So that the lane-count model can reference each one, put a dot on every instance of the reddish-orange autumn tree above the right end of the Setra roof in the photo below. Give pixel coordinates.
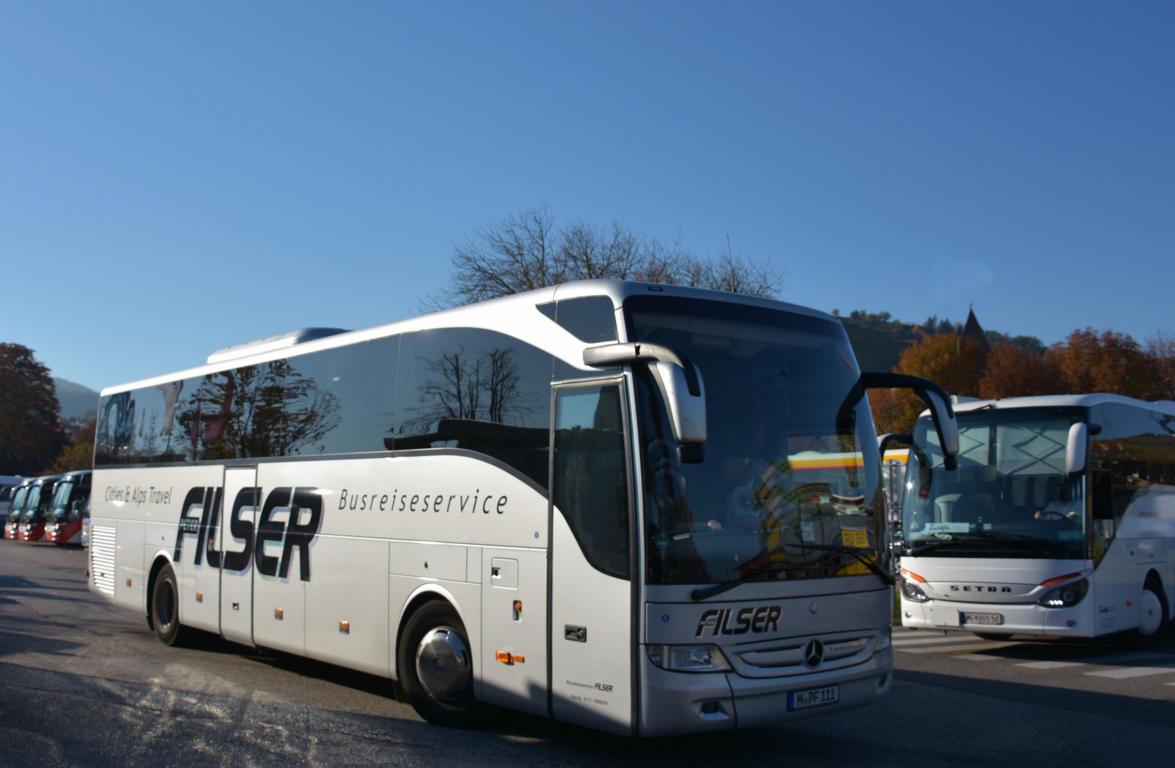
(1107, 362)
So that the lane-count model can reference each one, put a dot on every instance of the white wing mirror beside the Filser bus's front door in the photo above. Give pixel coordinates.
(677, 379)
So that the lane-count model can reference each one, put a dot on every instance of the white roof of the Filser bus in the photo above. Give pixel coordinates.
(508, 314)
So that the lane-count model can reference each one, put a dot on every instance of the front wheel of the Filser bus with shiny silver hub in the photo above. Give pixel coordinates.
(437, 666)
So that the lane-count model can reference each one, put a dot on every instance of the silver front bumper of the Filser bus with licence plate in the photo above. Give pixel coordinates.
(675, 703)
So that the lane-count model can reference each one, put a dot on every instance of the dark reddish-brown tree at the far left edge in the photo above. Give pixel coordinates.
(31, 435)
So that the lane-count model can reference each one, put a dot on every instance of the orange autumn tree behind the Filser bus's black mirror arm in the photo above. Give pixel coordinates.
(956, 365)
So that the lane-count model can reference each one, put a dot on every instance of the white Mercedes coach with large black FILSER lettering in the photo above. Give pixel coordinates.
(603, 503)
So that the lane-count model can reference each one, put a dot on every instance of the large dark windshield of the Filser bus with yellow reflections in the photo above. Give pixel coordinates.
(789, 486)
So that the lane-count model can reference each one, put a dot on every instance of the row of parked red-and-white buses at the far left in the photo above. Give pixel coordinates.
(52, 509)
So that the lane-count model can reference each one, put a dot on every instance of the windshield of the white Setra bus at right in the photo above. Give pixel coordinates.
(1011, 496)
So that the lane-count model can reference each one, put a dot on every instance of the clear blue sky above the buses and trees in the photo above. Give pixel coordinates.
(180, 178)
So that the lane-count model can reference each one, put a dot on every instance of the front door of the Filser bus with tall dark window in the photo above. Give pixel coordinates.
(593, 679)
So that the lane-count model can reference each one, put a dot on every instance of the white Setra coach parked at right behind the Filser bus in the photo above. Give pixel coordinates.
(1060, 520)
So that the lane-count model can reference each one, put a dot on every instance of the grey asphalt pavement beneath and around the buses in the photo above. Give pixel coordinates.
(84, 684)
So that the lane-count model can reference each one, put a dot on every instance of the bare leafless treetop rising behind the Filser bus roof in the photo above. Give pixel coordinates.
(529, 251)
